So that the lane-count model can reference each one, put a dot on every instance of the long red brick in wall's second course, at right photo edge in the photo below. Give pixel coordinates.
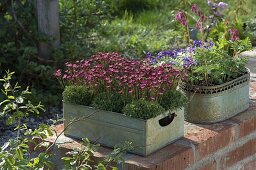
(239, 153)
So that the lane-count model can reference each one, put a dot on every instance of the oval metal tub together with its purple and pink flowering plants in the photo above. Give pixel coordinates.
(218, 80)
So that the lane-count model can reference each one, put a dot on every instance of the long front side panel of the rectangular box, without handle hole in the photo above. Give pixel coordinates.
(107, 128)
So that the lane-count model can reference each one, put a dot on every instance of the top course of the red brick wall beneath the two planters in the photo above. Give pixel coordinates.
(201, 140)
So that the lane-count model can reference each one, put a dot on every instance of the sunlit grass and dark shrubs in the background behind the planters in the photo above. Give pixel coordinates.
(88, 26)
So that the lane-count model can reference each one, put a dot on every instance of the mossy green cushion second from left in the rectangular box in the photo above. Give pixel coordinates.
(109, 101)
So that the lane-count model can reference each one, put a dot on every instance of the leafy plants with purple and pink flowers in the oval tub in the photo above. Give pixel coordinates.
(215, 54)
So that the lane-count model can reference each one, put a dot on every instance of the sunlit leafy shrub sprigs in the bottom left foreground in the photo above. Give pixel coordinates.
(17, 152)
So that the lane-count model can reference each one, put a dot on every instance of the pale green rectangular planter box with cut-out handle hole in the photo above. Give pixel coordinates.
(111, 129)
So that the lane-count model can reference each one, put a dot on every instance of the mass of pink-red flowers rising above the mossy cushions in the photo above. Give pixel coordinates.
(111, 72)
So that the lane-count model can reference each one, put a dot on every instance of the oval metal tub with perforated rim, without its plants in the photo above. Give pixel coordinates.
(217, 103)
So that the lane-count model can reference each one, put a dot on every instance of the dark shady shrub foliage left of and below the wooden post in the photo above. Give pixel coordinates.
(18, 50)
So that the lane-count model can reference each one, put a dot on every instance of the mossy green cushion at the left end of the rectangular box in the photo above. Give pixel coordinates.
(78, 95)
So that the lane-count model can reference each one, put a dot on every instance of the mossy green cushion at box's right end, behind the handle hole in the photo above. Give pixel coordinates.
(173, 99)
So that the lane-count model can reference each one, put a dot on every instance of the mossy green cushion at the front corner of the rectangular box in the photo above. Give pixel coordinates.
(143, 109)
